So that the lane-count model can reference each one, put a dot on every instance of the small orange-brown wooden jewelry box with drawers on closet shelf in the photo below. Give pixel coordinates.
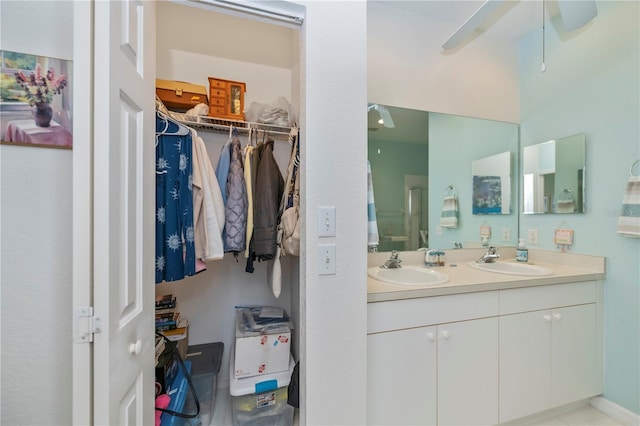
(226, 99)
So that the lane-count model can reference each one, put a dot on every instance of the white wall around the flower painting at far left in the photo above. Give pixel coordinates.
(35, 234)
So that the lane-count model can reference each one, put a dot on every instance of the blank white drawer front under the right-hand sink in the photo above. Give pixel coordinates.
(545, 297)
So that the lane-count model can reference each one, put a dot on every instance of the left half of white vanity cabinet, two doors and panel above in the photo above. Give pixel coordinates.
(430, 357)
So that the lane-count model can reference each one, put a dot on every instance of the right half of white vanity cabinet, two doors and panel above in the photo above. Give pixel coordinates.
(548, 357)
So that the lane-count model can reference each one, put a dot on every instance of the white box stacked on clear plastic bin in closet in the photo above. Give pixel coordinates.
(259, 353)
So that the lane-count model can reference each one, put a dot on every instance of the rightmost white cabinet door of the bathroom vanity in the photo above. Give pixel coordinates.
(574, 369)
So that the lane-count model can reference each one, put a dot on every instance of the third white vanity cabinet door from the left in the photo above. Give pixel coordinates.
(525, 364)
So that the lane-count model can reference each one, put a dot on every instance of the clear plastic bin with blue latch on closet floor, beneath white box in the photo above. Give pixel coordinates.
(260, 400)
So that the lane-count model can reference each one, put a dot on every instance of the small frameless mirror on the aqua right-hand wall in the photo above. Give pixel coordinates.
(554, 176)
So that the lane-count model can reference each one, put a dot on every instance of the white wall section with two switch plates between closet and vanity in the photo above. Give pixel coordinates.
(334, 149)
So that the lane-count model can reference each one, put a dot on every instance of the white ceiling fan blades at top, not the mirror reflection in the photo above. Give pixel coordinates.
(574, 13)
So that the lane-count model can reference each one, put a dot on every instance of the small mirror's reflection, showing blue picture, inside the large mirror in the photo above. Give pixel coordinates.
(492, 184)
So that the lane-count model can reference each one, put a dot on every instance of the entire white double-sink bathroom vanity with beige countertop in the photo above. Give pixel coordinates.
(484, 347)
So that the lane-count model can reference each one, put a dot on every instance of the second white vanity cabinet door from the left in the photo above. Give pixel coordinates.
(468, 372)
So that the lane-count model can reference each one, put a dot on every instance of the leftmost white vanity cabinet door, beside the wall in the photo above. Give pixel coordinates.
(401, 377)
